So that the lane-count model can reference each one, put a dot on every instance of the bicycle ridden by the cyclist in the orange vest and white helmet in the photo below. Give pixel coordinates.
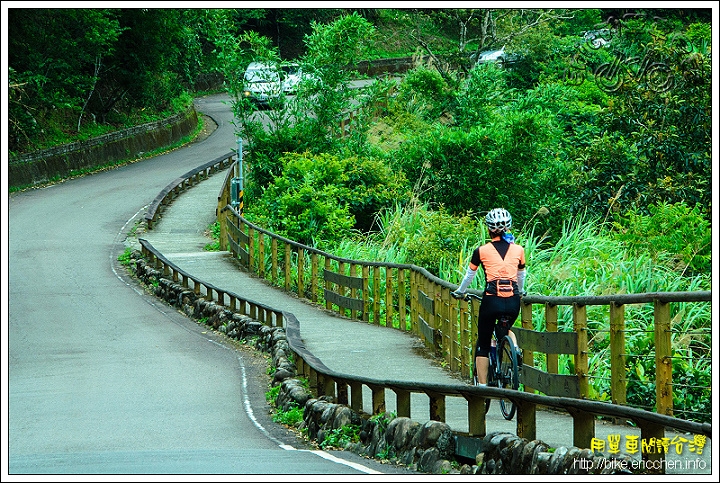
(503, 370)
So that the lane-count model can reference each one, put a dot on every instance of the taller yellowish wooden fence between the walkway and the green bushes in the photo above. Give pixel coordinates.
(409, 298)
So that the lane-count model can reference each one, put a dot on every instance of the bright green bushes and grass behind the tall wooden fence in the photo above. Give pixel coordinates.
(606, 173)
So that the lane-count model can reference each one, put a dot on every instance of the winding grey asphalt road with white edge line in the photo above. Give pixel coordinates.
(105, 379)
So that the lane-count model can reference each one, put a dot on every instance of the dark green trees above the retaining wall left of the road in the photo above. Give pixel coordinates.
(79, 72)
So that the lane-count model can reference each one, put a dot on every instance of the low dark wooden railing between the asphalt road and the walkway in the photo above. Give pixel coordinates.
(347, 388)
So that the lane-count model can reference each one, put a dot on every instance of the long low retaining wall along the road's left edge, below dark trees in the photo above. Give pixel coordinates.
(42, 166)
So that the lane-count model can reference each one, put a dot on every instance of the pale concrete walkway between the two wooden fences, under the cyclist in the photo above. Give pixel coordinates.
(347, 346)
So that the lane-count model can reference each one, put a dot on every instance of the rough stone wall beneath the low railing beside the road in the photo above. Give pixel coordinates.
(427, 448)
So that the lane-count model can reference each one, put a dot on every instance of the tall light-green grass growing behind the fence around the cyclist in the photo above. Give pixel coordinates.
(586, 260)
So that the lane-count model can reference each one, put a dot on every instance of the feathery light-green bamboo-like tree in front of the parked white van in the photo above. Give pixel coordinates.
(332, 51)
